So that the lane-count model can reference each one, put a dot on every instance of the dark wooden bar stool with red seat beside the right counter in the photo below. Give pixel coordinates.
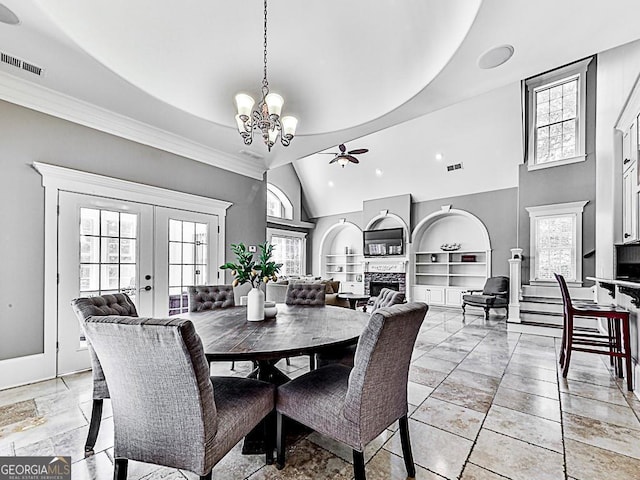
(616, 343)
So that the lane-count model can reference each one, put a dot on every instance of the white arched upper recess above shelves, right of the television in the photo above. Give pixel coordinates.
(450, 225)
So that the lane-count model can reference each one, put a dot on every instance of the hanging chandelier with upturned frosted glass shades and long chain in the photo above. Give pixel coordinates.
(266, 118)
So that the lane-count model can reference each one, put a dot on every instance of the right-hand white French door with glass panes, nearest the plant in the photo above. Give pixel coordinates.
(186, 253)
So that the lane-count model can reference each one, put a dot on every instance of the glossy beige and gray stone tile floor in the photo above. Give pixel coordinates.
(485, 404)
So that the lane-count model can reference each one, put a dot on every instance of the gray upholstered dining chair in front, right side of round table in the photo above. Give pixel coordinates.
(354, 405)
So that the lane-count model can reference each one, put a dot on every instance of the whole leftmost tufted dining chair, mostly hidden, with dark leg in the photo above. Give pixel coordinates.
(85, 307)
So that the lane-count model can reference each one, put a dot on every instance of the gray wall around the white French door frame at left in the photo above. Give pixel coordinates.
(28, 136)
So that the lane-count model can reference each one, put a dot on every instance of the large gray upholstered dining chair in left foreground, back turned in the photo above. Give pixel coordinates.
(166, 408)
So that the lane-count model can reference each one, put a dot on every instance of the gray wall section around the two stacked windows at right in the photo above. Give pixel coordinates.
(562, 184)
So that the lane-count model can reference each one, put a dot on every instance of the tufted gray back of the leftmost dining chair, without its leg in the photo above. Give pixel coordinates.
(115, 304)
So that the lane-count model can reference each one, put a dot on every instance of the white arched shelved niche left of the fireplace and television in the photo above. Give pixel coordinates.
(341, 244)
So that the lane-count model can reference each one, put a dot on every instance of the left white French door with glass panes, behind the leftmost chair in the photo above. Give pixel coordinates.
(105, 246)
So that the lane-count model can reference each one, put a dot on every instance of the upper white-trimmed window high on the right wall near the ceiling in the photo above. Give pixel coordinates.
(556, 110)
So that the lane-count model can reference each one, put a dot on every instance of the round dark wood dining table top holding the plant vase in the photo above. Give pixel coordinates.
(296, 330)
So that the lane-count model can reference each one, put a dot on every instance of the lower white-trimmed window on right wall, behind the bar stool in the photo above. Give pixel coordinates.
(556, 242)
